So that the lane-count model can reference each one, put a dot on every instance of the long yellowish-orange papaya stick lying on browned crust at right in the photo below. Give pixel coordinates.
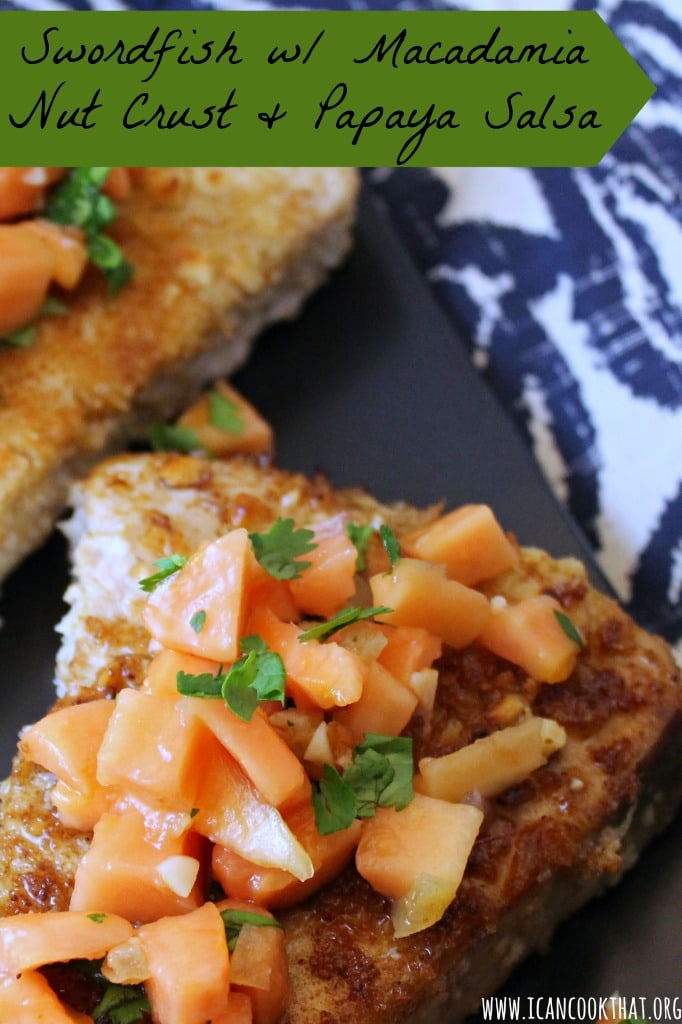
(492, 764)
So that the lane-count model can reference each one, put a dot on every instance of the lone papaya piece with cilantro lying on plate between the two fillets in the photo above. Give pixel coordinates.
(226, 423)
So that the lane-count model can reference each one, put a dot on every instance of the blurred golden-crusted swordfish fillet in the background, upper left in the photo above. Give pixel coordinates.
(219, 253)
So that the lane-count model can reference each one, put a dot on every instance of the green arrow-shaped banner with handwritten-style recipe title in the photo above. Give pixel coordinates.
(354, 89)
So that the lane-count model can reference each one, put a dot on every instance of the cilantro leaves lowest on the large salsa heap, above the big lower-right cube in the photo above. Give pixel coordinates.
(380, 776)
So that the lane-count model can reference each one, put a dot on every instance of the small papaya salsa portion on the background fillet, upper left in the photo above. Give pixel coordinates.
(53, 223)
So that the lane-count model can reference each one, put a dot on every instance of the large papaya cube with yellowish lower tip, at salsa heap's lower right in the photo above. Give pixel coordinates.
(429, 840)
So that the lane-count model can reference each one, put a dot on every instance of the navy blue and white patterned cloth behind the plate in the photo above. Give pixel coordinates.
(567, 286)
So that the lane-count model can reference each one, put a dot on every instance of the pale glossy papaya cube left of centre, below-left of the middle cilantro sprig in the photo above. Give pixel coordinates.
(153, 749)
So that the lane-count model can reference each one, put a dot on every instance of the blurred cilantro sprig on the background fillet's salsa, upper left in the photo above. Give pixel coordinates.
(78, 200)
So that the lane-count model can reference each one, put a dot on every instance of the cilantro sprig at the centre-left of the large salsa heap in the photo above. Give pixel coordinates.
(259, 675)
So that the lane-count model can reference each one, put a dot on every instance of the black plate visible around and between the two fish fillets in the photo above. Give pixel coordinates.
(372, 387)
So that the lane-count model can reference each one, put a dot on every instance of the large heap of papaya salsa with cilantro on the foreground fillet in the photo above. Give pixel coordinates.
(266, 750)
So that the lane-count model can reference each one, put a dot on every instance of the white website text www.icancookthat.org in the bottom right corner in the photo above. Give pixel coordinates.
(501, 1009)
